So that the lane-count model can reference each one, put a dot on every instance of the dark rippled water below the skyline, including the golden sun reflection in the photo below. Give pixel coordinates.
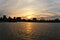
(29, 31)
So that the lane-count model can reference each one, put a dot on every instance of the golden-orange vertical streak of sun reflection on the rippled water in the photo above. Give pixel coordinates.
(28, 31)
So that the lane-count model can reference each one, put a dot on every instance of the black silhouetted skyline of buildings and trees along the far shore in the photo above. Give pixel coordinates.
(19, 19)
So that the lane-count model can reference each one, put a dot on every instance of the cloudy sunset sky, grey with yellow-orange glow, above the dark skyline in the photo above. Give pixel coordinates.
(33, 8)
